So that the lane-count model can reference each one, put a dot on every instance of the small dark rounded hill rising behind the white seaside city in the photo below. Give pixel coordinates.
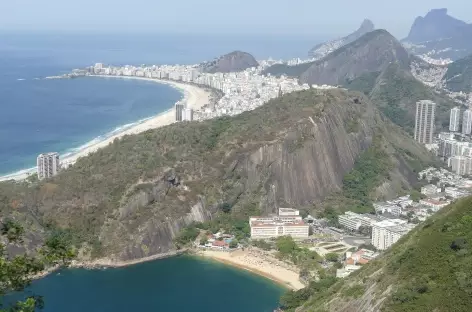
(231, 62)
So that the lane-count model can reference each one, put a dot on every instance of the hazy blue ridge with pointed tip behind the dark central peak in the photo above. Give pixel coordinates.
(323, 49)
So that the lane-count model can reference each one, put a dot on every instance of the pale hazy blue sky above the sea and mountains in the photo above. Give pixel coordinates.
(313, 17)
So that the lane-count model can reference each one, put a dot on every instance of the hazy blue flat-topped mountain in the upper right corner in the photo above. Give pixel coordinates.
(439, 35)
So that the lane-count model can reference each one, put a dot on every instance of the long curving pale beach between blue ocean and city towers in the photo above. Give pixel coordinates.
(194, 96)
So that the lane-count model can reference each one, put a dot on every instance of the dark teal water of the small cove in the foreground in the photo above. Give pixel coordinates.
(179, 284)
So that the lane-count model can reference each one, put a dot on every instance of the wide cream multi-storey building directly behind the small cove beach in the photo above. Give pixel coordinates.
(288, 222)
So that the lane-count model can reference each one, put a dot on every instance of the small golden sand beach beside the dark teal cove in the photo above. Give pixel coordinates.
(254, 261)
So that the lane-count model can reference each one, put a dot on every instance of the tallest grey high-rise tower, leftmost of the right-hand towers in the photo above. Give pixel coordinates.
(424, 121)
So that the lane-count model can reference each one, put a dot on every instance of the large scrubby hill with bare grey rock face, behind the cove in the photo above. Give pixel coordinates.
(130, 199)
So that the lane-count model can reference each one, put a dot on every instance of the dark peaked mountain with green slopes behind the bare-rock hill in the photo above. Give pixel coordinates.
(378, 65)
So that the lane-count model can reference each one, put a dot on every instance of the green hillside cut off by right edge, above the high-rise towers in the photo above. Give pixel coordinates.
(458, 76)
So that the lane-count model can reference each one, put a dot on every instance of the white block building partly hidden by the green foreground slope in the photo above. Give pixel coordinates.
(387, 232)
